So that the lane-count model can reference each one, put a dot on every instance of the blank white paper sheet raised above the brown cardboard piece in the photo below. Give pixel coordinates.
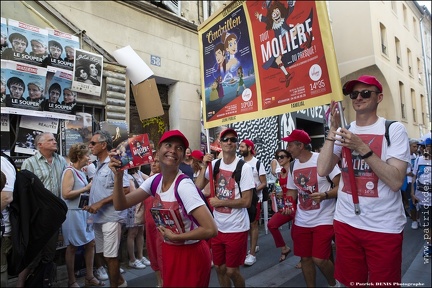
(136, 69)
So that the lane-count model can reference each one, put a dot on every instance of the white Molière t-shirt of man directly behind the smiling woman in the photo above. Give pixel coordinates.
(228, 219)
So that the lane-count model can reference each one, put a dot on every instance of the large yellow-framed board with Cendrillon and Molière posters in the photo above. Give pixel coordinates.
(291, 68)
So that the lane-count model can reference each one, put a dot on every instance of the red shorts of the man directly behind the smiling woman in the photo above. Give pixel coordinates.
(229, 249)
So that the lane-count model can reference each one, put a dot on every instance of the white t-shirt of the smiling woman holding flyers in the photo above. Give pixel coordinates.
(168, 200)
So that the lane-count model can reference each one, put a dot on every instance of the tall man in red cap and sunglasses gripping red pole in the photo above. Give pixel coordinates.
(368, 240)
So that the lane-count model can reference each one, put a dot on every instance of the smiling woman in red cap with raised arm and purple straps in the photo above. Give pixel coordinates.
(179, 268)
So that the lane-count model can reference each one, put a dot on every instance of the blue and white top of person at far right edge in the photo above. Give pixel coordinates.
(422, 170)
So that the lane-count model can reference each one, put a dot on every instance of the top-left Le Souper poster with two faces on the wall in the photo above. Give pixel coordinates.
(28, 43)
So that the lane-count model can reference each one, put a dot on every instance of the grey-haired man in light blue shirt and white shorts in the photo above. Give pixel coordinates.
(106, 220)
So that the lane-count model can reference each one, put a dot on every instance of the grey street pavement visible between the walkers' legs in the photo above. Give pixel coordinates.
(268, 272)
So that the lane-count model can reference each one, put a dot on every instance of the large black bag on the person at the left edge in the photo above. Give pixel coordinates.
(35, 215)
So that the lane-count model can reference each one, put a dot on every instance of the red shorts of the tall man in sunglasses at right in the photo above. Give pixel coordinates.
(360, 253)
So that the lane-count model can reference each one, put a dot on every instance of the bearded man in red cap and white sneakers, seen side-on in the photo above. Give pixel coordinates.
(247, 151)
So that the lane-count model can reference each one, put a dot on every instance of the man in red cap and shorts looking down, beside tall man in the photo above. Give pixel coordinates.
(312, 231)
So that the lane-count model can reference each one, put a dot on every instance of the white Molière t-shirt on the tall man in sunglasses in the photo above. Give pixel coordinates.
(381, 208)
